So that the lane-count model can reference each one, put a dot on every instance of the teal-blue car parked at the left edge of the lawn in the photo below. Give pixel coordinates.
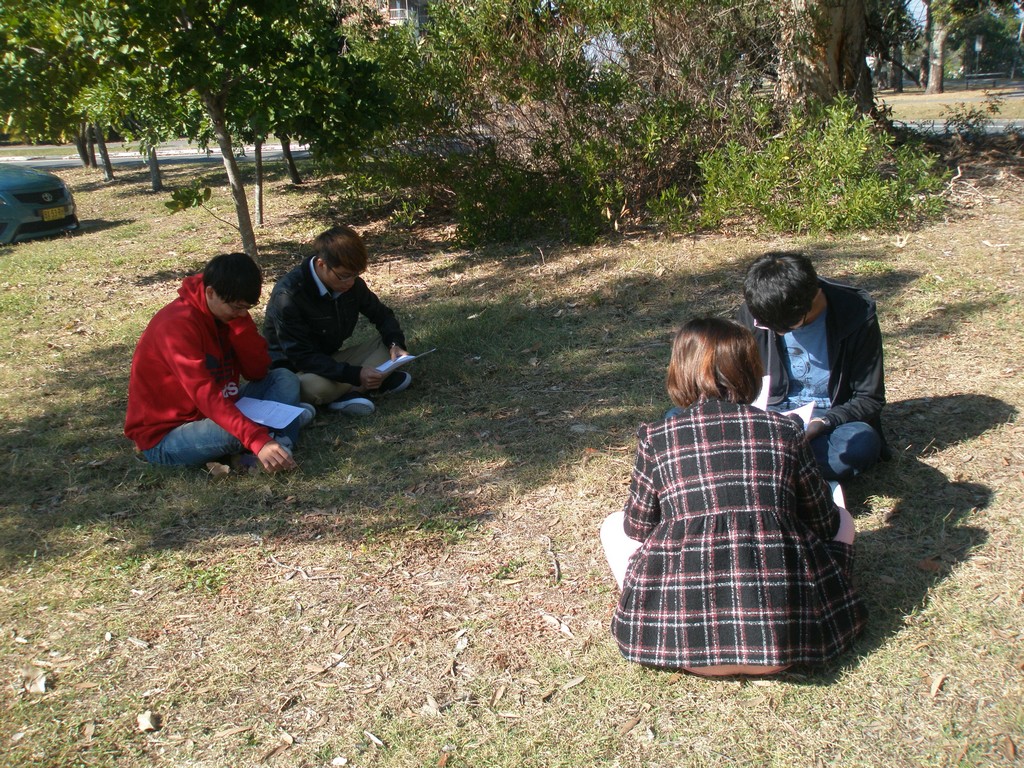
(33, 204)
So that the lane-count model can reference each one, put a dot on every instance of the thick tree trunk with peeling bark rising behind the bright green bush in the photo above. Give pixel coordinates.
(823, 52)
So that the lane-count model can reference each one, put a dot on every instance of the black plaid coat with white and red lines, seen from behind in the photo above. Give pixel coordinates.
(738, 564)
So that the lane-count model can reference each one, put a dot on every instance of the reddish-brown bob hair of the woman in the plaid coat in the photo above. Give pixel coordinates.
(714, 358)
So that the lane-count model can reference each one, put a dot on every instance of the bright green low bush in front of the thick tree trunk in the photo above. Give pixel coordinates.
(830, 170)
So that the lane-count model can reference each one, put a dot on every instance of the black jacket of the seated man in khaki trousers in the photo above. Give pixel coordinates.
(306, 329)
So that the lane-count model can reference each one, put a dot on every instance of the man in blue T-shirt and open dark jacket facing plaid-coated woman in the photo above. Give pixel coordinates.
(821, 344)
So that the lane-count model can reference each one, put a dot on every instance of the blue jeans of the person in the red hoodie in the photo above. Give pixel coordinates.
(196, 443)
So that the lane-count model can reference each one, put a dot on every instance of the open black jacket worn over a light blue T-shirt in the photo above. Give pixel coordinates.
(857, 380)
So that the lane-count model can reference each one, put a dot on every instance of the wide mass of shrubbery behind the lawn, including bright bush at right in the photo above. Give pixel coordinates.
(577, 118)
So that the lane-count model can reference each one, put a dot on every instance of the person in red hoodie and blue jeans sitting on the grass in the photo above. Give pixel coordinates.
(188, 372)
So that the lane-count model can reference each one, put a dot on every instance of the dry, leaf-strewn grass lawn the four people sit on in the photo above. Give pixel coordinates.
(429, 589)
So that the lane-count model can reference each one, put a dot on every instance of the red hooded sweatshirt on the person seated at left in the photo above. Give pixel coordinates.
(187, 368)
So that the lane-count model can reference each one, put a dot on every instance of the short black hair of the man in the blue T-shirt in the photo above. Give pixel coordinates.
(780, 289)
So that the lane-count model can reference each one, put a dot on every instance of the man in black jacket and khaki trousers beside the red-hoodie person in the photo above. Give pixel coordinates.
(314, 311)
